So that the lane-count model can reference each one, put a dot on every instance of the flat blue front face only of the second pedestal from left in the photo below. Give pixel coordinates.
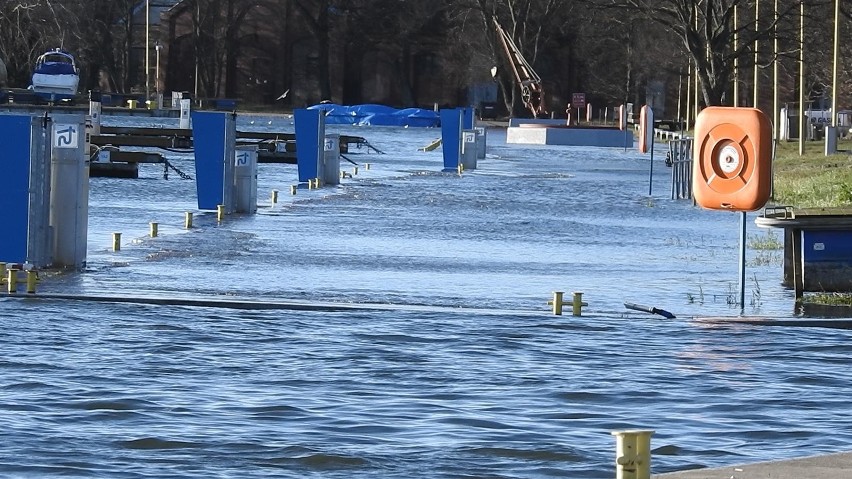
(208, 139)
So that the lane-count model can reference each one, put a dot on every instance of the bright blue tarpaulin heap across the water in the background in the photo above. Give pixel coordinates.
(377, 115)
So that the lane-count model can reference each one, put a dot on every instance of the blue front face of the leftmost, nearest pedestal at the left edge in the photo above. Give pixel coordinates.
(15, 134)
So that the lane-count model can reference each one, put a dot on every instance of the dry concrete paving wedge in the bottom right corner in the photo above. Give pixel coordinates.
(830, 466)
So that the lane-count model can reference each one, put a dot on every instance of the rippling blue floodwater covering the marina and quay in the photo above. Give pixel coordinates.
(461, 371)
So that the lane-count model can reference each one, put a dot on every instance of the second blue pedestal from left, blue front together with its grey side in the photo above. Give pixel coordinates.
(214, 139)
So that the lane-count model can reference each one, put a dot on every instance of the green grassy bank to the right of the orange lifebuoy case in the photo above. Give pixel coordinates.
(813, 180)
